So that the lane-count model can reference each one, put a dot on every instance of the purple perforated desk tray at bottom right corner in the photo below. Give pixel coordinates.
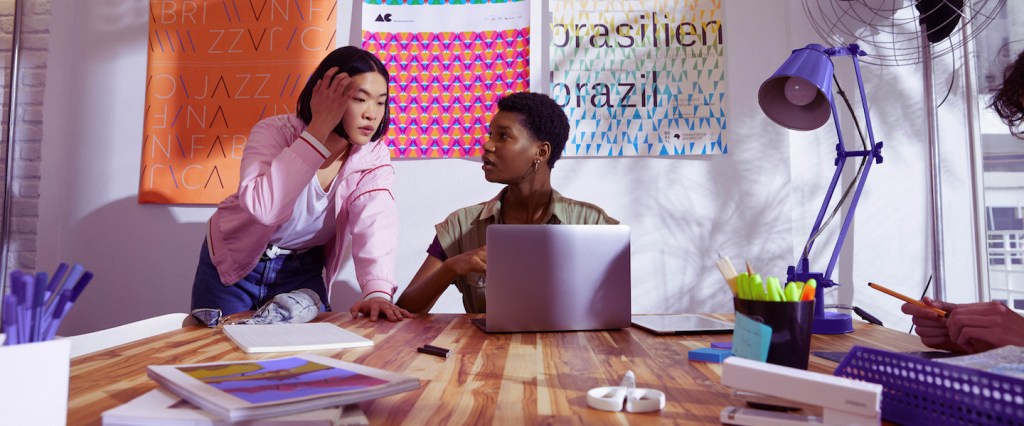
(920, 392)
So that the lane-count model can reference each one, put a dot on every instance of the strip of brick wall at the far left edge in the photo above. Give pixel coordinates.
(26, 150)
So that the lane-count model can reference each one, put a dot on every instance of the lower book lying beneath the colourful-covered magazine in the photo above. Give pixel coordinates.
(161, 408)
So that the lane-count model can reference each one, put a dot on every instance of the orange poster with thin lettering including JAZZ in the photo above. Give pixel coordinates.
(217, 68)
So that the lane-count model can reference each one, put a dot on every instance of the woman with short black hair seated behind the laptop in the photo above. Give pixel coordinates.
(527, 138)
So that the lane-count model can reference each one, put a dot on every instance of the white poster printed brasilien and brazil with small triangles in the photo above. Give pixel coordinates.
(641, 78)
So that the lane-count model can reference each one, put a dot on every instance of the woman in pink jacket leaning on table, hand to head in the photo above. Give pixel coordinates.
(311, 185)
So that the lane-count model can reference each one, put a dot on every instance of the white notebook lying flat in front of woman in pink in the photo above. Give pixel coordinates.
(293, 337)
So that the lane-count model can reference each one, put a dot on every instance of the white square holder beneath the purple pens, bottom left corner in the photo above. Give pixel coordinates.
(34, 384)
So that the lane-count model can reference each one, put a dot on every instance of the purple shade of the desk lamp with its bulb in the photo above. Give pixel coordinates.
(798, 97)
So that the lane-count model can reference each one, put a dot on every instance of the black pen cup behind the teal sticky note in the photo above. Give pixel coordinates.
(791, 329)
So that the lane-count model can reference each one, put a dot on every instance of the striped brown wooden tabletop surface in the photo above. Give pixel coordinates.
(528, 378)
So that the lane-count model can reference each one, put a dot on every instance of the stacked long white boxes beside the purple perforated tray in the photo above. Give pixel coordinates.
(783, 396)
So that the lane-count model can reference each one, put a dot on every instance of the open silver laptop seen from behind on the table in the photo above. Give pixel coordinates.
(558, 278)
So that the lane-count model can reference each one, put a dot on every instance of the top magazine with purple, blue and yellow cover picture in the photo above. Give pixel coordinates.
(262, 389)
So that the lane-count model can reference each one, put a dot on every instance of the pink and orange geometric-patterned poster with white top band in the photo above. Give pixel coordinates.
(450, 62)
